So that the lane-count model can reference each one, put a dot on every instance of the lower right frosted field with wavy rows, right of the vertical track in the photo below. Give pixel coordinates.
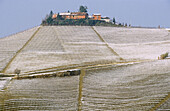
(136, 87)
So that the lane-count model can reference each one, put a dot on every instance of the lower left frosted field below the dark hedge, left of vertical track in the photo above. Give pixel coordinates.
(42, 94)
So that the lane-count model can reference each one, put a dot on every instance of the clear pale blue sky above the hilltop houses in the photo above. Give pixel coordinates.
(19, 15)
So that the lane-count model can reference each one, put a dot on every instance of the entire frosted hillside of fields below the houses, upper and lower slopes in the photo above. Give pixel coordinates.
(126, 86)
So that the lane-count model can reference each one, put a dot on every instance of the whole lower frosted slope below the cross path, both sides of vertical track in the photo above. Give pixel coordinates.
(137, 87)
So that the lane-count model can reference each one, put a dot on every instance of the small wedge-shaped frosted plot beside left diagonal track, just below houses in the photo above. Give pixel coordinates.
(45, 40)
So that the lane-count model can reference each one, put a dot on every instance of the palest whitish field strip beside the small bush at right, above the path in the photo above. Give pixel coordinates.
(141, 51)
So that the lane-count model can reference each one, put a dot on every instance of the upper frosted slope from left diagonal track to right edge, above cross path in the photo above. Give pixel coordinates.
(55, 46)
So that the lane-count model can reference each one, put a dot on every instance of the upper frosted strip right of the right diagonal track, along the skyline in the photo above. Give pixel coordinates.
(132, 35)
